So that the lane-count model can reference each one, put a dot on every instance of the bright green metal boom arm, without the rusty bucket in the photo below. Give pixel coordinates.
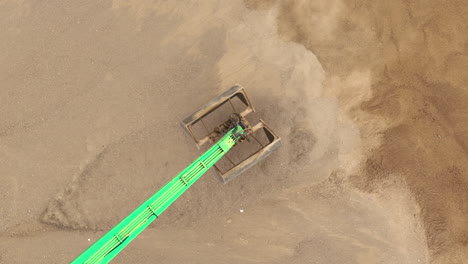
(108, 246)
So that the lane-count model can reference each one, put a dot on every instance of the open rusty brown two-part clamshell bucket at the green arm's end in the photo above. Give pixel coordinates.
(215, 118)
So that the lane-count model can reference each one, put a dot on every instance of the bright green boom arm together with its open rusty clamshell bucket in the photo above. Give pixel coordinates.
(231, 133)
